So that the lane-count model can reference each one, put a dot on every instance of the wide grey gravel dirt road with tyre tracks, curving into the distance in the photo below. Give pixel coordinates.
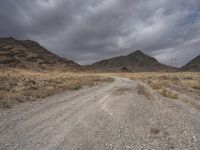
(108, 116)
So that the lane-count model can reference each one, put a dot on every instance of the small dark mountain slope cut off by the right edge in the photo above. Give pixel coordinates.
(193, 65)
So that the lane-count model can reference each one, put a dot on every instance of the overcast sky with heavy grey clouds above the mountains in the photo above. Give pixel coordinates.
(90, 30)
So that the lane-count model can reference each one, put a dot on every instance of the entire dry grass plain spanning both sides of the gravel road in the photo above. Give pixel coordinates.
(25, 85)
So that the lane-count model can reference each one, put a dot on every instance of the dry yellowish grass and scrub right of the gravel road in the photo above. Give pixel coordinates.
(168, 84)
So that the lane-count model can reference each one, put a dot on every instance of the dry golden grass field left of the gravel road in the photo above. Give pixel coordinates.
(18, 86)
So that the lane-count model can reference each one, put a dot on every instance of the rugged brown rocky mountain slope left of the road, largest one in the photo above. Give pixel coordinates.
(29, 54)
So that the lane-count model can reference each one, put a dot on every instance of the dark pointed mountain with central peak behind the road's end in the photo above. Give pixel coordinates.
(136, 61)
